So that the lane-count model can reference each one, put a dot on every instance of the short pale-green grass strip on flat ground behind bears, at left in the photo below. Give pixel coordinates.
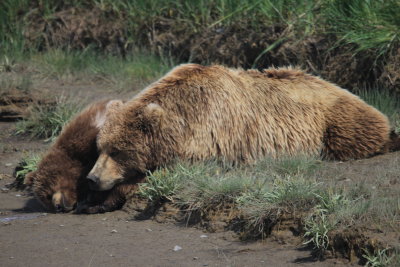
(134, 71)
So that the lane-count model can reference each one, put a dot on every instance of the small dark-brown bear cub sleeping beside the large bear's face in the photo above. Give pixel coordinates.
(59, 182)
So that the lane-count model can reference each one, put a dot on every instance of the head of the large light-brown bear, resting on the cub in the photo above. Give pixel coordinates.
(127, 143)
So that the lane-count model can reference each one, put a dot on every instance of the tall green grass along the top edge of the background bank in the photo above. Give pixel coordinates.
(368, 25)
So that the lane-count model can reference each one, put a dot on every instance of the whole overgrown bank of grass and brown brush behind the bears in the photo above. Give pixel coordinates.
(352, 43)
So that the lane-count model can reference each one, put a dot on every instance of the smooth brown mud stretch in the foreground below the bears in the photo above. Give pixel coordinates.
(30, 237)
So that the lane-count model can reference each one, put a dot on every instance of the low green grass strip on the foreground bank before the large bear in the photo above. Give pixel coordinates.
(274, 189)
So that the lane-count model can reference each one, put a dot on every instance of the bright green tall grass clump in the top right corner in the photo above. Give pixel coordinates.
(370, 25)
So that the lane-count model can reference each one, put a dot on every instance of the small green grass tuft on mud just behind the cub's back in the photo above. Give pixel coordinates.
(46, 121)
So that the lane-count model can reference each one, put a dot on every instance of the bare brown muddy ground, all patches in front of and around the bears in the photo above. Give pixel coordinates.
(31, 237)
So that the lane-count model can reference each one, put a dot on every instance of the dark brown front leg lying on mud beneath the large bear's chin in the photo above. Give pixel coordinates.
(101, 202)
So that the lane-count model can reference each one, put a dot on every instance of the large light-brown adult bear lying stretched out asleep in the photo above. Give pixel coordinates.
(201, 112)
